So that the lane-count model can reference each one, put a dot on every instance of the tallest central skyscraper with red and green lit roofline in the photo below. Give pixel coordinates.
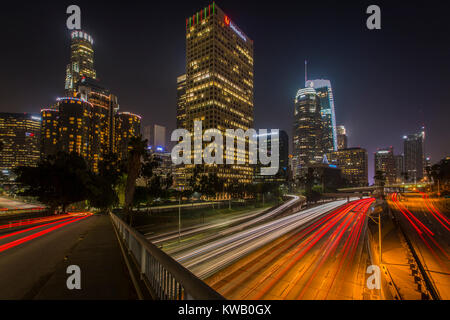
(219, 81)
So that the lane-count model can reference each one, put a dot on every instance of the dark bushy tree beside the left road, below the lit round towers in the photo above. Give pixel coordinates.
(58, 180)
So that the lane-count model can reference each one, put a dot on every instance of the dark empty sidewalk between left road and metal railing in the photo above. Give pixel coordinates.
(104, 274)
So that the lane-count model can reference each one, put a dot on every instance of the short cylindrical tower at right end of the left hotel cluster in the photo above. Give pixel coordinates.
(128, 125)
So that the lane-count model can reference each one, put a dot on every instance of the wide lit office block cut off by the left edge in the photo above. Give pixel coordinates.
(20, 135)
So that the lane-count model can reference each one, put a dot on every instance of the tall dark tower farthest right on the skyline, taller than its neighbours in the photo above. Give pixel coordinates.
(413, 150)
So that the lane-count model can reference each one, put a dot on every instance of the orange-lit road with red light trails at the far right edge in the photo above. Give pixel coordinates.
(428, 229)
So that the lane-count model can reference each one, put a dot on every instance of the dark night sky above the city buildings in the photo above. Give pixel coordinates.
(387, 83)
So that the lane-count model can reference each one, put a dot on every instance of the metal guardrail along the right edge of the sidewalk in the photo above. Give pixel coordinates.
(165, 278)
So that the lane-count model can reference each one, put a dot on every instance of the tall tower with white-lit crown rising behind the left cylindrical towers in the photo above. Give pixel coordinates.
(81, 61)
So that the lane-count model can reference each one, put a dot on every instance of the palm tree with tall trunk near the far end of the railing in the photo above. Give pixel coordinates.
(137, 149)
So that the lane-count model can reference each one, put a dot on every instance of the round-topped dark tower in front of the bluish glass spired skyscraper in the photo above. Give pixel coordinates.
(308, 126)
